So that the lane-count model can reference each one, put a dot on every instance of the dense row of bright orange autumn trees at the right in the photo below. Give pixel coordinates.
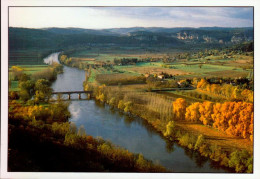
(234, 118)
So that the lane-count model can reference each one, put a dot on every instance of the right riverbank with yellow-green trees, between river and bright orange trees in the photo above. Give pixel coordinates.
(227, 151)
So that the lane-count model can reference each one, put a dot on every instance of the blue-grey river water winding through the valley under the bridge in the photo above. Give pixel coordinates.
(130, 133)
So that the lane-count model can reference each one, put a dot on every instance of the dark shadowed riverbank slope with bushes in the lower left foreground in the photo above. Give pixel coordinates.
(35, 146)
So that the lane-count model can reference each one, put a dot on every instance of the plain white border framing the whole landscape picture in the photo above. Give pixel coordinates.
(4, 82)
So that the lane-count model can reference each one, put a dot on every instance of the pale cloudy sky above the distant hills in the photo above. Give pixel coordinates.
(118, 17)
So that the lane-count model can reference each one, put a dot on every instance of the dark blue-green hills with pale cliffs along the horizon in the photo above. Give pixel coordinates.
(60, 38)
